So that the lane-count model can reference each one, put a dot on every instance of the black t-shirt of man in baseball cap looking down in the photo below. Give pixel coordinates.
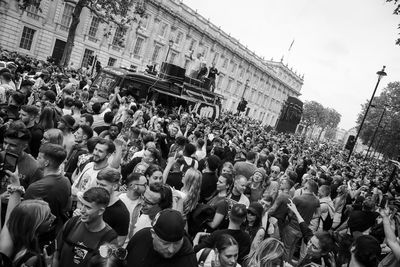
(142, 254)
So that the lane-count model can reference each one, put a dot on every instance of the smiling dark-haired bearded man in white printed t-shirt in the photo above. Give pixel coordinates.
(87, 177)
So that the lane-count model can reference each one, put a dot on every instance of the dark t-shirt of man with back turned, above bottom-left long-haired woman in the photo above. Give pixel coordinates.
(54, 189)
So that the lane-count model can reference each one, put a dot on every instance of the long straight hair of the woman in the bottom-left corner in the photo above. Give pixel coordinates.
(24, 222)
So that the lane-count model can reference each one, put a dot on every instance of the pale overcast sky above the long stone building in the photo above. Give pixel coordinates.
(339, 45)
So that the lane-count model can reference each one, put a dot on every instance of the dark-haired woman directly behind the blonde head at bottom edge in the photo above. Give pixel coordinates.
(253, 224)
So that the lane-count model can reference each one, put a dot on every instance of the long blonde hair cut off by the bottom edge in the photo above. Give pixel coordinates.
(266, 254)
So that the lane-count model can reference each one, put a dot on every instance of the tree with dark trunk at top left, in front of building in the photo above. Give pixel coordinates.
(118, 12)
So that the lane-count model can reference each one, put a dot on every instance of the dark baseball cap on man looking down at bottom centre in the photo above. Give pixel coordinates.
(169, 225)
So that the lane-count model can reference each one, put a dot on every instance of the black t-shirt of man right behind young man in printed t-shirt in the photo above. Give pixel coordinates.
(117, 216)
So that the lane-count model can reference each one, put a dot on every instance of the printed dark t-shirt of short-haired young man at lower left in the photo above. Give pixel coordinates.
(76, 250)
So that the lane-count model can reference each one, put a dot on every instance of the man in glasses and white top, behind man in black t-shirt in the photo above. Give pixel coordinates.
(136, 186)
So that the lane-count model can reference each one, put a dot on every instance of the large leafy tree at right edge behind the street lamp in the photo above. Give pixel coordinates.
(387, 139)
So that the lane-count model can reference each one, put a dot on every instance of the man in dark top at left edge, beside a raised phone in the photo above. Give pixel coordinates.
(16, 140)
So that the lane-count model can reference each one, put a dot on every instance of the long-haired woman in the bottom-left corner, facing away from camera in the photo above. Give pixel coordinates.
(19, 238)
